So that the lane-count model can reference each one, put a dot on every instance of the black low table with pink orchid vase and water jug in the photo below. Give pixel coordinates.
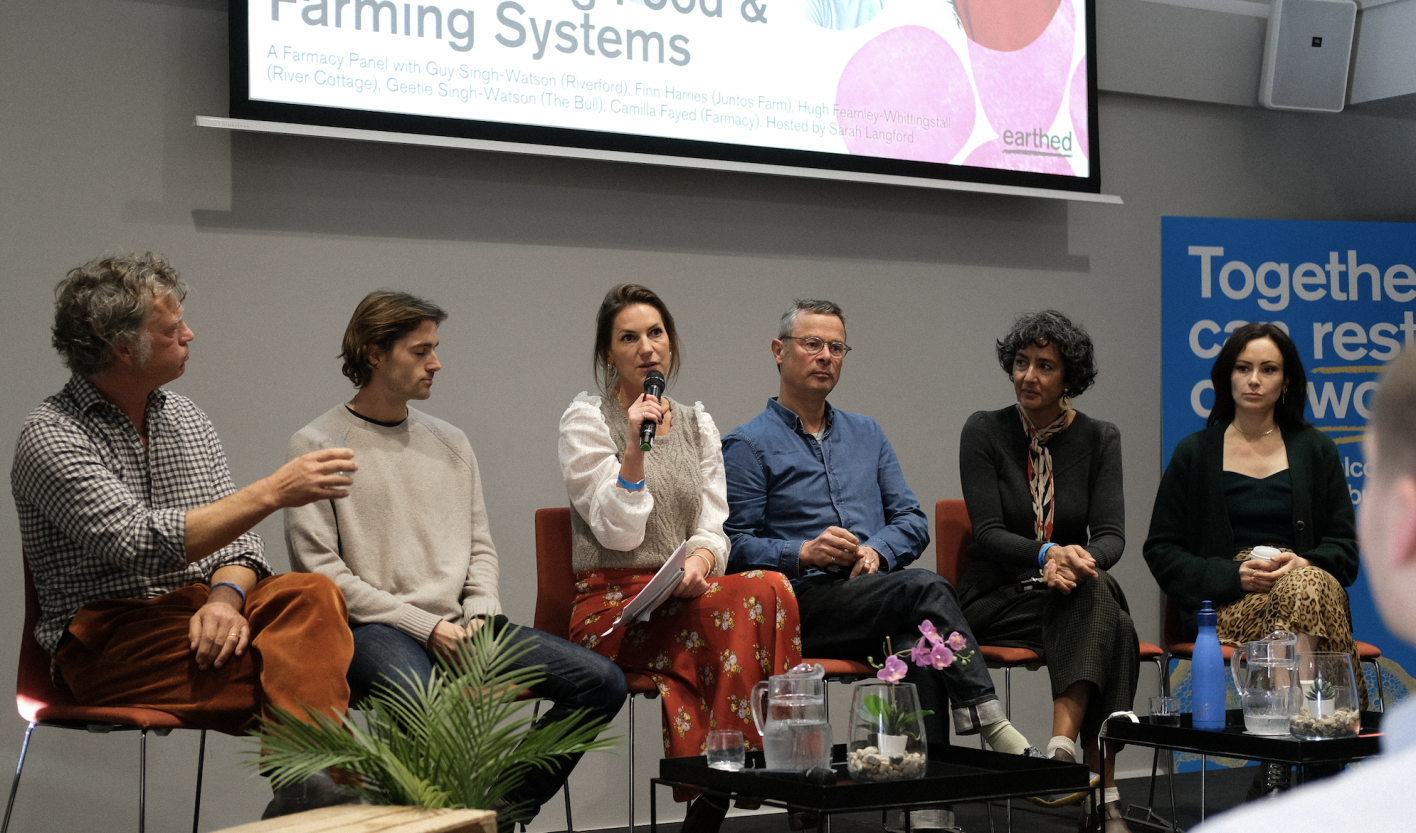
(955, 774)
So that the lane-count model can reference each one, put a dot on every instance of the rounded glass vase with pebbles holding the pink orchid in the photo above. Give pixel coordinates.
(887, 733)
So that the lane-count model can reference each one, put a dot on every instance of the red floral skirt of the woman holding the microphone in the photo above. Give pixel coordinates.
(703, 654)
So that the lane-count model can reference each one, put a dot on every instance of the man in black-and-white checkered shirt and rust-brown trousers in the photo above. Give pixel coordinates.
(154, 590)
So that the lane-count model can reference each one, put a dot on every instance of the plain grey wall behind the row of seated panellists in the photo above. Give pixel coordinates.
(280, 237)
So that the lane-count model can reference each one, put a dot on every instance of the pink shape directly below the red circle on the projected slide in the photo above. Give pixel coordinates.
(1023, 90)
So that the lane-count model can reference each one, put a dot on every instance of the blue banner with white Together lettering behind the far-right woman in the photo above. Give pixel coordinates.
(1346, 293)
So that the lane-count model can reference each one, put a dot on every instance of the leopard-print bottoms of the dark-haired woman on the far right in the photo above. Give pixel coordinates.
(1305, 601)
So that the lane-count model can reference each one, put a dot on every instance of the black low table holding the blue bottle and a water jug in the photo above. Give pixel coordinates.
(1235, 743)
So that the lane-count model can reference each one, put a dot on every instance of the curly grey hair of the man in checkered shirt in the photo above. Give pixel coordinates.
(107, 304)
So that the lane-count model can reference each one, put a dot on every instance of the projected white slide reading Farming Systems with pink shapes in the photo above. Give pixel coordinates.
(993, 84)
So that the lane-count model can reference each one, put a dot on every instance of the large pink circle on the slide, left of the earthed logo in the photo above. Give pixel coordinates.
(906, 96)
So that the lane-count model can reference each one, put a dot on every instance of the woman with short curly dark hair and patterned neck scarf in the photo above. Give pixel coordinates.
(1043, 484)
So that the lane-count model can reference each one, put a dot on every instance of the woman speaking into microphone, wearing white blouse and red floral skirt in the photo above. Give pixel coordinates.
(719, 635)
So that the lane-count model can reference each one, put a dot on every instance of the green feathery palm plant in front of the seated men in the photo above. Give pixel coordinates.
(459, 740)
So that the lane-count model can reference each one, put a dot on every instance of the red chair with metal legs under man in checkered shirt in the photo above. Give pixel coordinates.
(42, 703)
